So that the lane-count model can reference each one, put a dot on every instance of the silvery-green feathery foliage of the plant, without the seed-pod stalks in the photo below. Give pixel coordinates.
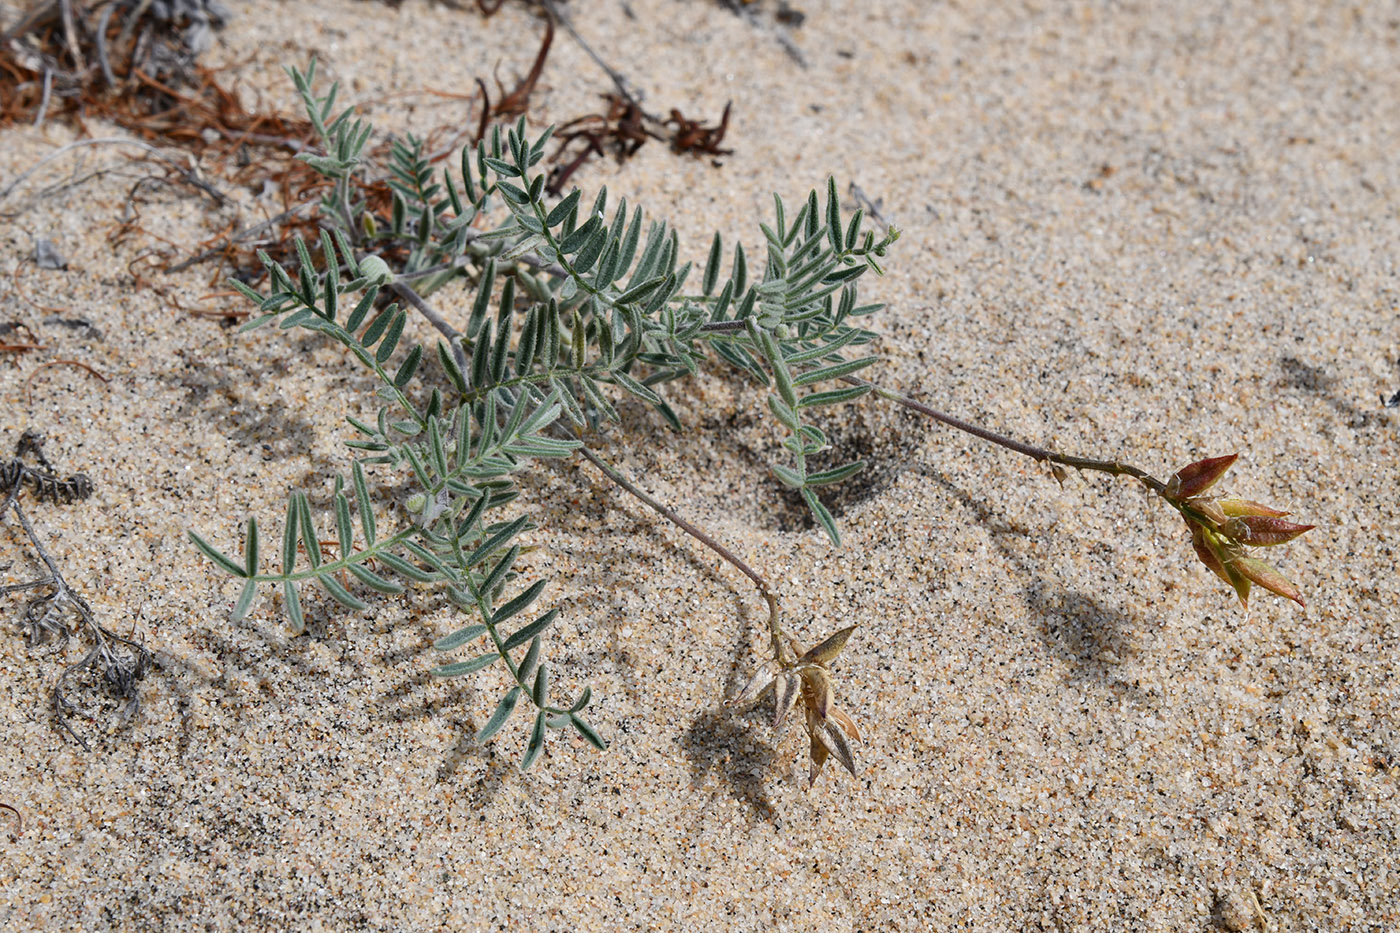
(626, 319)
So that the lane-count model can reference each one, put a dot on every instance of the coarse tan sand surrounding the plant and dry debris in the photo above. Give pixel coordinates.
(1147, 232)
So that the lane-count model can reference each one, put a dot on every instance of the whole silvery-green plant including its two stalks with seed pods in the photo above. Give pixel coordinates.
(549, 313)
